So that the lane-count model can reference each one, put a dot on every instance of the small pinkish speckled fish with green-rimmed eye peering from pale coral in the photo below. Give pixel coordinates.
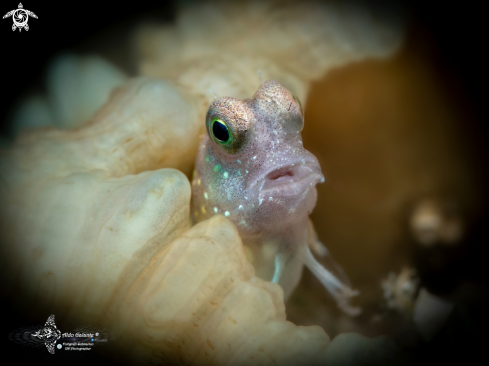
(252, 168)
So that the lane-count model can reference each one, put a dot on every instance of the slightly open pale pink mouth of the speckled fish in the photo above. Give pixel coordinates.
(291, 179)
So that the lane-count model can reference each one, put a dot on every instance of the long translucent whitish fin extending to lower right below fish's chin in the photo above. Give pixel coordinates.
(341, 291)
